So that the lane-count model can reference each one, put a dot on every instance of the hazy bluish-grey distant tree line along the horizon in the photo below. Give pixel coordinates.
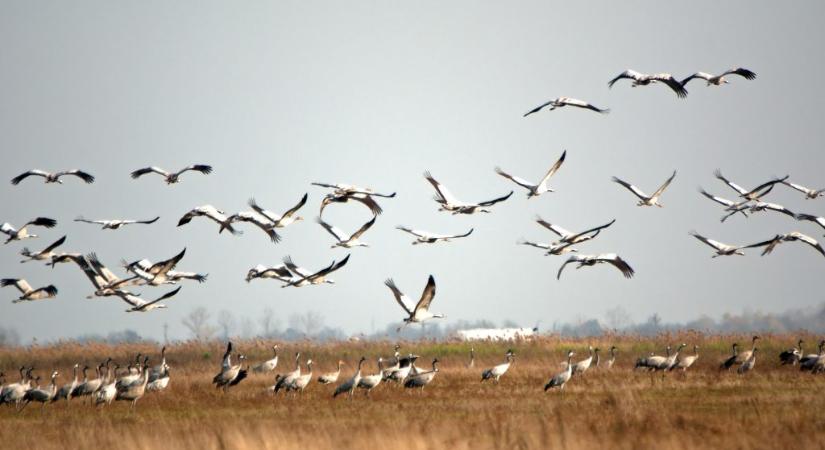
(200, 325)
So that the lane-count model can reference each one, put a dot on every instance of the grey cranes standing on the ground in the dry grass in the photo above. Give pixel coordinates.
(138, 377)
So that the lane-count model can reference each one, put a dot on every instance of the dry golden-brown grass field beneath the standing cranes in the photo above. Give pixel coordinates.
(619, 408)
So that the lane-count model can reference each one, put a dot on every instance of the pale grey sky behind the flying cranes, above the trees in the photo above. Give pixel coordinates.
(276, 95)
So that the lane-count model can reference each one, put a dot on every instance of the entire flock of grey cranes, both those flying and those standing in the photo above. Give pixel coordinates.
(109, 385)
